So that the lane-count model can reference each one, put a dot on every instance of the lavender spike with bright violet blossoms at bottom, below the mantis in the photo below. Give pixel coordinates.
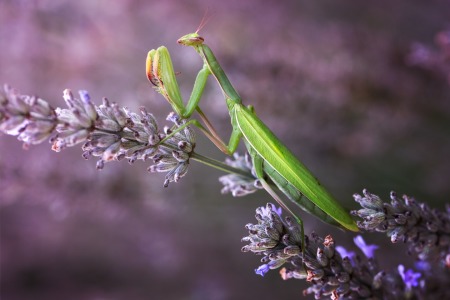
(332, 271)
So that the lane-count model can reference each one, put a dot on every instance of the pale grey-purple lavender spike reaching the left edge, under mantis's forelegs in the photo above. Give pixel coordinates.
(106, 131)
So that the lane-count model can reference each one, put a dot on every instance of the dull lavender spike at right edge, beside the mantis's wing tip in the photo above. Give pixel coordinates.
(425, 230)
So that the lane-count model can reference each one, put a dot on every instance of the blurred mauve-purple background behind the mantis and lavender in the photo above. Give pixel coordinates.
(344, 83)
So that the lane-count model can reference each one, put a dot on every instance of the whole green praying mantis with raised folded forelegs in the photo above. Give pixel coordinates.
(274, 163)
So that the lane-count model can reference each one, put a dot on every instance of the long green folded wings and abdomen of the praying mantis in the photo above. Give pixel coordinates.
(286, 171)
